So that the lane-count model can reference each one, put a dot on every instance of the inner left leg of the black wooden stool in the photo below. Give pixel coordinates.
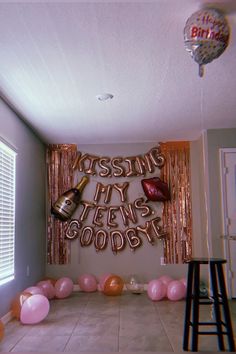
(195, 307)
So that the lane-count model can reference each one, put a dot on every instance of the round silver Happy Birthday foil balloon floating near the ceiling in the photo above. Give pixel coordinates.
(206, 36)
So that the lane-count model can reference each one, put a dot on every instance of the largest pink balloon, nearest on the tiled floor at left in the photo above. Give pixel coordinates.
(34, 309)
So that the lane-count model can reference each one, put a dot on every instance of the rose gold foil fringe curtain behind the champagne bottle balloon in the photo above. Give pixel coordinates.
(60, 159)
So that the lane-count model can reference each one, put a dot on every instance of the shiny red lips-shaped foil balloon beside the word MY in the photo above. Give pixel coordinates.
(155, 189)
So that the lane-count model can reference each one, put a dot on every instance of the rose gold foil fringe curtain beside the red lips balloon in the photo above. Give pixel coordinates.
(177, 215)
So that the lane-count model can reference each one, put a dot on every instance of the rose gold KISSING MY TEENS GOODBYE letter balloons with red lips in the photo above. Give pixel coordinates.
(105, 218)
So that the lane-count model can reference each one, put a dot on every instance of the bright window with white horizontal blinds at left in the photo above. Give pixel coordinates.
(7, 212)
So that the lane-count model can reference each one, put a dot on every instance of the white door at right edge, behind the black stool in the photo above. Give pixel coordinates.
(228, 184)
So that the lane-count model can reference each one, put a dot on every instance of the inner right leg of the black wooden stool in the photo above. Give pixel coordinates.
(217, 307)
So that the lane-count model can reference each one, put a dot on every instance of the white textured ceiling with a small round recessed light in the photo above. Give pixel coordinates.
(56, 57)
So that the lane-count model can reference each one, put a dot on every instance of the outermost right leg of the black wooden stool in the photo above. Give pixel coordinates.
(226, 308)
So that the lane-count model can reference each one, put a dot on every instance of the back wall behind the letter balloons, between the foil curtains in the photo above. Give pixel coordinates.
(145, 261)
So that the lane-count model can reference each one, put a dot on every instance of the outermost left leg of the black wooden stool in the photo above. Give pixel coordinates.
(188, 306)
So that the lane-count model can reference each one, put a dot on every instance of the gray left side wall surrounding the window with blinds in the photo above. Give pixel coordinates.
(30, 205)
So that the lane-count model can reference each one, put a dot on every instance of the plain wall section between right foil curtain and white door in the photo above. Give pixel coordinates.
(206, 193)
